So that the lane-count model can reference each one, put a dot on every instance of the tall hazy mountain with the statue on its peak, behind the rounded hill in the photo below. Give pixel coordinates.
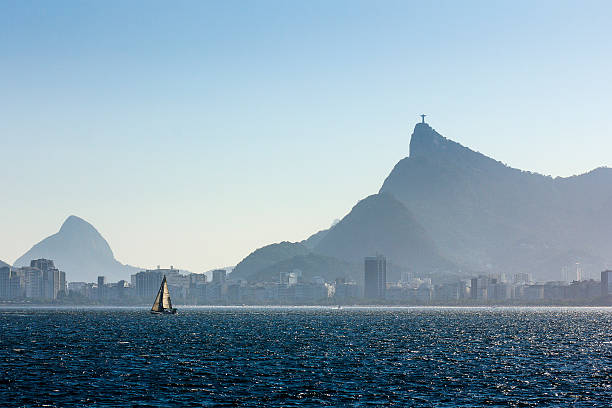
(485, 215)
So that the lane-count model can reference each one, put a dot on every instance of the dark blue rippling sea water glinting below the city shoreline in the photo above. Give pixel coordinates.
(287, 357)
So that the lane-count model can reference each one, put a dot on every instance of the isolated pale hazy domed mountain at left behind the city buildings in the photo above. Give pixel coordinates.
(80, 251)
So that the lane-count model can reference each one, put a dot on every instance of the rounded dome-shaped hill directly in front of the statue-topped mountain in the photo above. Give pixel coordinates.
(382, 224)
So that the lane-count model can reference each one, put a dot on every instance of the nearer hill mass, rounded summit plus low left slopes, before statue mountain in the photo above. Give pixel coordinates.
(377, 224)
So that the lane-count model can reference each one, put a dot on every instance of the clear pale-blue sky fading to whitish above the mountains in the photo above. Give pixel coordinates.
(191, 133)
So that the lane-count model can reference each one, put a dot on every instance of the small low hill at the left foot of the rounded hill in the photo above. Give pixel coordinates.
(267, 256)
